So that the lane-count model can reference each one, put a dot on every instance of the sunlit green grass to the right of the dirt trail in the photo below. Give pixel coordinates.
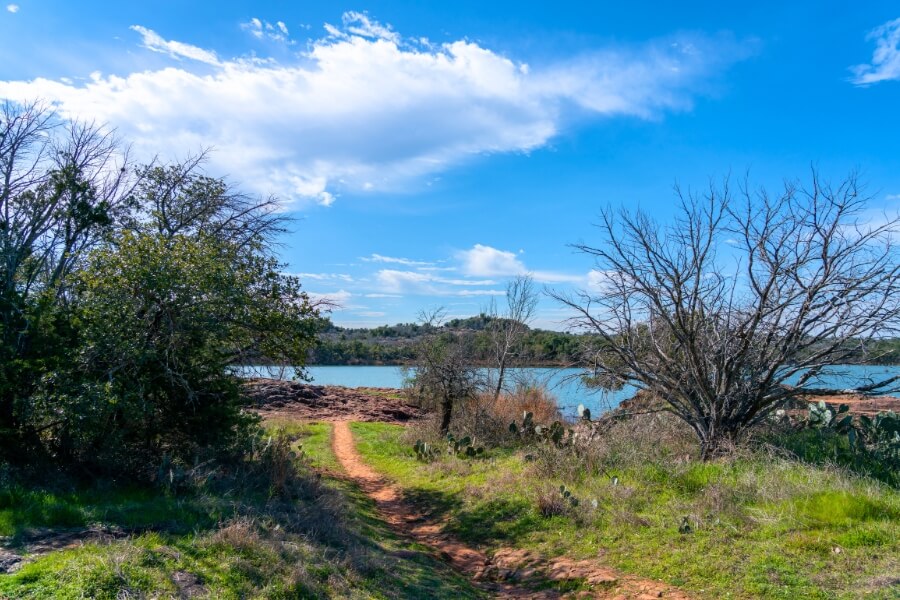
(760, 526)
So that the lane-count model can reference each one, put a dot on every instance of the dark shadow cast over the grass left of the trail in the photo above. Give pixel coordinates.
(331, 515)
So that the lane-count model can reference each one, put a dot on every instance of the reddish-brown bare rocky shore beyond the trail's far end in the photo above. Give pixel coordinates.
(296, 400)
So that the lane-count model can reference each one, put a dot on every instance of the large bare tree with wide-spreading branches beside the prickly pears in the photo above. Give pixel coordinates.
(744, 302)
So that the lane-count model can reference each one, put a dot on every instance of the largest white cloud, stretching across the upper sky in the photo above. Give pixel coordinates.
(364, 108)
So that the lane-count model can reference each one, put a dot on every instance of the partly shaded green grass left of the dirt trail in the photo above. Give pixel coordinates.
(325, 542)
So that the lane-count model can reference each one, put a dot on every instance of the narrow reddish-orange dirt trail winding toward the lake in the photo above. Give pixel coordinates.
(501, 574)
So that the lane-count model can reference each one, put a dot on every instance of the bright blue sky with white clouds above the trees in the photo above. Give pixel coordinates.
(428, 152)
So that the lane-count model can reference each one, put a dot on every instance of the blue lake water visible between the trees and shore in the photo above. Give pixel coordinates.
(565, 384)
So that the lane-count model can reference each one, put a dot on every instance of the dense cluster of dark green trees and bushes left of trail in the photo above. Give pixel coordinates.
(127, 296)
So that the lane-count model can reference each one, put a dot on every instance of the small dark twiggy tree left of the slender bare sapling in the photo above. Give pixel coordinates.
(443, 373)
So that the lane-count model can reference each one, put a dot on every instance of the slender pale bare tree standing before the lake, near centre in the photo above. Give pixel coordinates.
(506, 330)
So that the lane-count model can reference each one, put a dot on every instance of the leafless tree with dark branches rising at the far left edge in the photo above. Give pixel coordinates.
(61, 185)
